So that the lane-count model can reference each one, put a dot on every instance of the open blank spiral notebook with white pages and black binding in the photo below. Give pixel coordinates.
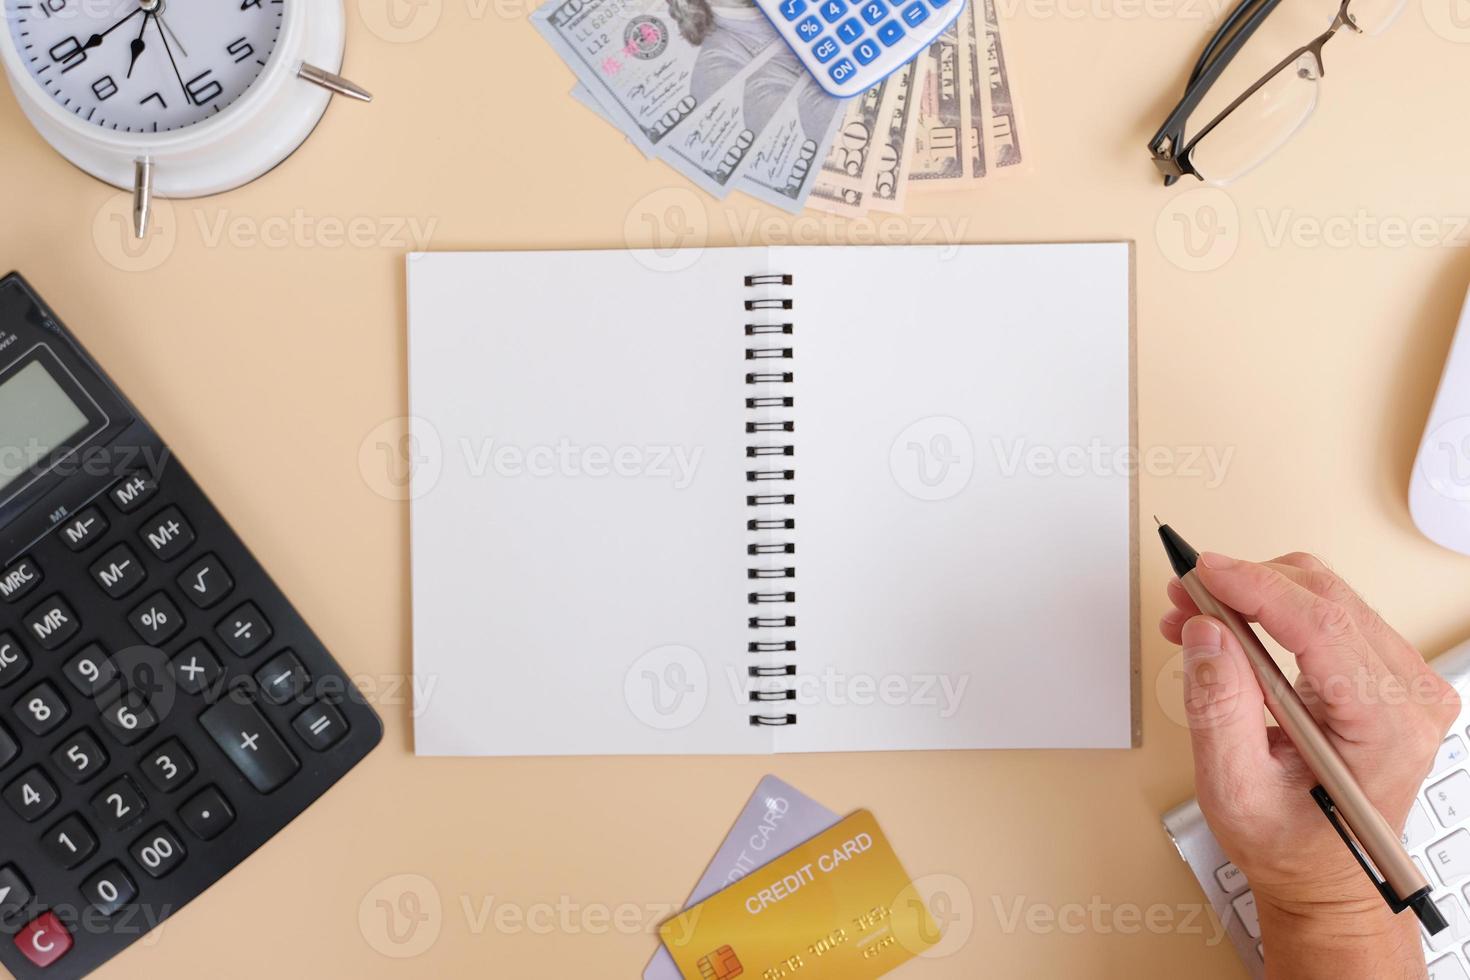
(772, 500)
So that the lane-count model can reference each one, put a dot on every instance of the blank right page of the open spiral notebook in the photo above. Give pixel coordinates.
(965, 524)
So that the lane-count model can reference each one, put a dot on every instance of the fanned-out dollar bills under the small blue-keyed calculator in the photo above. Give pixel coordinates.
(711, 89)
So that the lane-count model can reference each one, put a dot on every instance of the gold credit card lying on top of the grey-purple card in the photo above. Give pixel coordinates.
(839, 906)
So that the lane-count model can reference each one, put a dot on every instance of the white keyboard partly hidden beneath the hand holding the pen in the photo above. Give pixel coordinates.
(1437, 835)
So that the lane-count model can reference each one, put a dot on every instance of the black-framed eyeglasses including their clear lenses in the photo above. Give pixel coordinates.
(1271, 111)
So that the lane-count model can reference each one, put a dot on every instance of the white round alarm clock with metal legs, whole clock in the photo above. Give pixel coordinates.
(179, 98)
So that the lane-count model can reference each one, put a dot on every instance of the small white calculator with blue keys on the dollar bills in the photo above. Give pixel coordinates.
(853, 45)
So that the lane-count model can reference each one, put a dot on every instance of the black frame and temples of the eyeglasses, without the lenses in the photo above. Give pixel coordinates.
(1171, 154)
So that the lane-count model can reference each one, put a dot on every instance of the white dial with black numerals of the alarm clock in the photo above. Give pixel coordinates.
(145, 65)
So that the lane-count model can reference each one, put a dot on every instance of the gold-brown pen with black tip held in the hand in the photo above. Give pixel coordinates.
(1377, 847)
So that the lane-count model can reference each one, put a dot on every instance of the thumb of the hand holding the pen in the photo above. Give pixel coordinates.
(1224, 706)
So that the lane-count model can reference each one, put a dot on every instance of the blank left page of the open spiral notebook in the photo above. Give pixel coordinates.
(578, 518)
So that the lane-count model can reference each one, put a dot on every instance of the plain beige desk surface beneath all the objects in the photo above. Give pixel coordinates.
(268, 350)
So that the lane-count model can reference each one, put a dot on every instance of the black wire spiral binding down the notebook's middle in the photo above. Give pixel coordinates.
(772, 462)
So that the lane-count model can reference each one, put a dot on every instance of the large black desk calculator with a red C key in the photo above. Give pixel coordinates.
(164, 709)
